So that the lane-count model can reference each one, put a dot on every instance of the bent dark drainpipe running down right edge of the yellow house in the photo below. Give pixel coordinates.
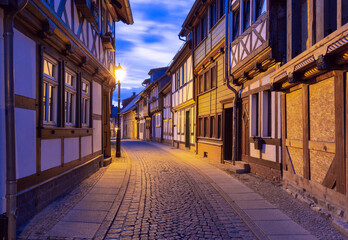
(227, 75)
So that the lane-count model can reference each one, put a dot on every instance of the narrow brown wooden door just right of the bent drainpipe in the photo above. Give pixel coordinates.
(245, 129)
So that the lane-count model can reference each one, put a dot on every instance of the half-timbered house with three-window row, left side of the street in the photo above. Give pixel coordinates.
(64, 64)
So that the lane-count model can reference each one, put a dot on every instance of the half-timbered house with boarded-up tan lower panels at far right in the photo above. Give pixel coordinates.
(314, 92)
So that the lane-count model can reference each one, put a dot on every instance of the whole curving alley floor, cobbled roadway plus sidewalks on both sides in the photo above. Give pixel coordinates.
(157, 192)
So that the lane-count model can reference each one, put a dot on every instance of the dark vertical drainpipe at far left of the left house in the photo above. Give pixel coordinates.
(11, 180)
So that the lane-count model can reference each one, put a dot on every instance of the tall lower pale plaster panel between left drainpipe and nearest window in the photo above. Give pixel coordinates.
(25, 125)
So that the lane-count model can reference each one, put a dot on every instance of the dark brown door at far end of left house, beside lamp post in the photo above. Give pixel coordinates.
(106, 124)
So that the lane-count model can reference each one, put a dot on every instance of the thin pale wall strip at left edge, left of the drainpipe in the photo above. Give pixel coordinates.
(2, 122)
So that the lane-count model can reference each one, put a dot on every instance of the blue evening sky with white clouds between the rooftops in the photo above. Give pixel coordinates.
(151, 42)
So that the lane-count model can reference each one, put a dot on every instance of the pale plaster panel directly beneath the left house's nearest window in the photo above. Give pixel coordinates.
(50, 153)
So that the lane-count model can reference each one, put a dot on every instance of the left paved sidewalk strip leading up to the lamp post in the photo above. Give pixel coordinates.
(93, 214)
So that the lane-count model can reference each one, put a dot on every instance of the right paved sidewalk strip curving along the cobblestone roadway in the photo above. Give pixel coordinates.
(263, 218)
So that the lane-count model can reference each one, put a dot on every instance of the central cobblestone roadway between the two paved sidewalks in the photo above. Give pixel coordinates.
(167, 200)
